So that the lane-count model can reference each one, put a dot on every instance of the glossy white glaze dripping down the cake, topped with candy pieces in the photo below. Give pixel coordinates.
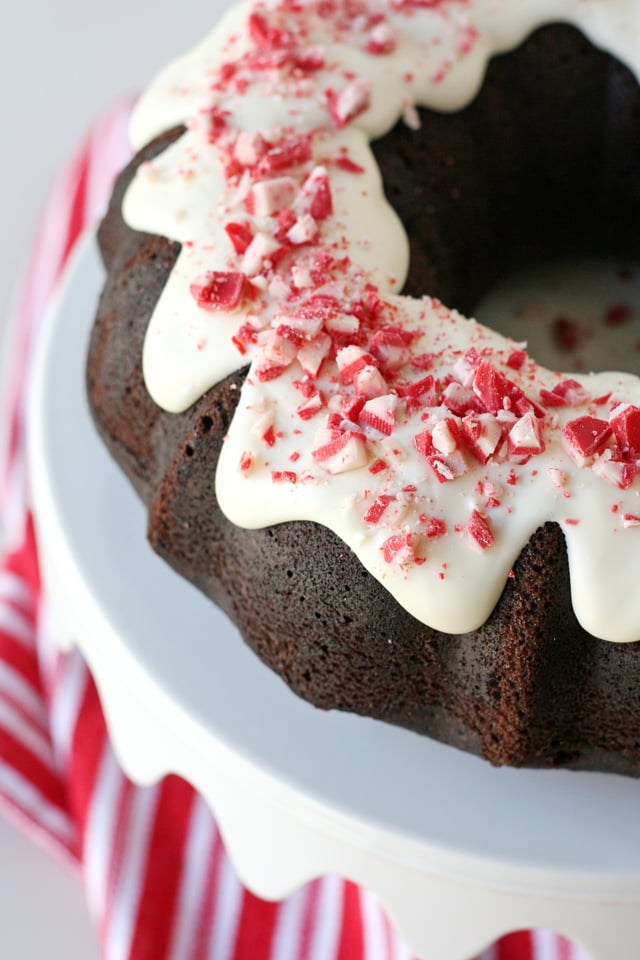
(431, 445)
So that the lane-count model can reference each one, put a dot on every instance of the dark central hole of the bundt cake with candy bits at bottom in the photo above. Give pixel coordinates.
(524, 208)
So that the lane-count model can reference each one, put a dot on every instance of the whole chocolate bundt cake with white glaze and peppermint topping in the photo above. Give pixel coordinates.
(406, 516)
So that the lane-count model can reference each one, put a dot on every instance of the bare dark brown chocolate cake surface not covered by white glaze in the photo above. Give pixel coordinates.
(548, 140)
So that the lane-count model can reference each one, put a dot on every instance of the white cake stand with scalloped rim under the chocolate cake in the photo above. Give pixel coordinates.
(436, 834)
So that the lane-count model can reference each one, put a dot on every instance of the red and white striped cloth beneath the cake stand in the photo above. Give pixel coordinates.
(158, 881)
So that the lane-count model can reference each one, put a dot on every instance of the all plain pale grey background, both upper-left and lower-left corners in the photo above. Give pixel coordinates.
(61, 63)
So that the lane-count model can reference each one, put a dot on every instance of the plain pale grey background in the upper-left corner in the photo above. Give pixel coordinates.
(61, 62)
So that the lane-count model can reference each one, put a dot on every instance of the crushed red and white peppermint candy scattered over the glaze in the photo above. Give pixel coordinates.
(395, 403)
